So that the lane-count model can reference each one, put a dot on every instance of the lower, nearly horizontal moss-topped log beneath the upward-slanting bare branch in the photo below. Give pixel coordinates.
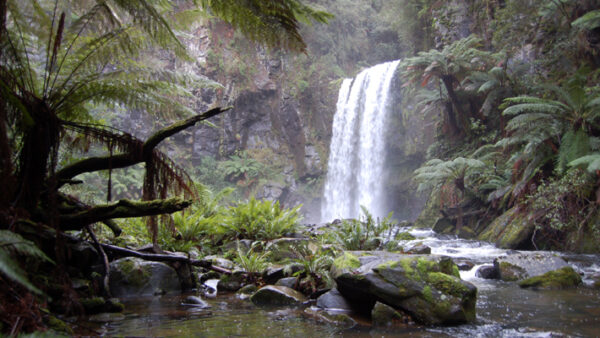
(123, 209)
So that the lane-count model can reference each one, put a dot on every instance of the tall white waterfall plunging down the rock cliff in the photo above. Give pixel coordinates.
(357, 150)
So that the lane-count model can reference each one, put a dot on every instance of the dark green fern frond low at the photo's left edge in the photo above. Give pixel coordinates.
(12, 244)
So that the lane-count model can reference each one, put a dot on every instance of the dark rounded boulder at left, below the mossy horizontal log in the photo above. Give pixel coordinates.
(132, 276)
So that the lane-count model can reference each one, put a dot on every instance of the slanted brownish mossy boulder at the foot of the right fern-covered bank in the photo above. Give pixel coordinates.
(512, 230)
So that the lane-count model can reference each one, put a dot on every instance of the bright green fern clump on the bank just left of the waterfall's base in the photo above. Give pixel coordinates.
(258, 220)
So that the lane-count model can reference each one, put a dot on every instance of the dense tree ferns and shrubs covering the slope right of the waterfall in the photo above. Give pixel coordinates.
(518, 120)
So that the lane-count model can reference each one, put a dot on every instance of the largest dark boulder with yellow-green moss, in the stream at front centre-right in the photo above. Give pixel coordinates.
(427, 287)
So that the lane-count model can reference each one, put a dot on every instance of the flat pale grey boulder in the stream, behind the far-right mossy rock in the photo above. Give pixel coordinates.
(520, 266)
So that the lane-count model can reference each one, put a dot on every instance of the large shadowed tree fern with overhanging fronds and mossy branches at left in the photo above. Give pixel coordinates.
(62, 61)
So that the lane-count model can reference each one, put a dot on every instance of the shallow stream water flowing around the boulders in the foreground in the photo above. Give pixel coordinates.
(503, 309)
